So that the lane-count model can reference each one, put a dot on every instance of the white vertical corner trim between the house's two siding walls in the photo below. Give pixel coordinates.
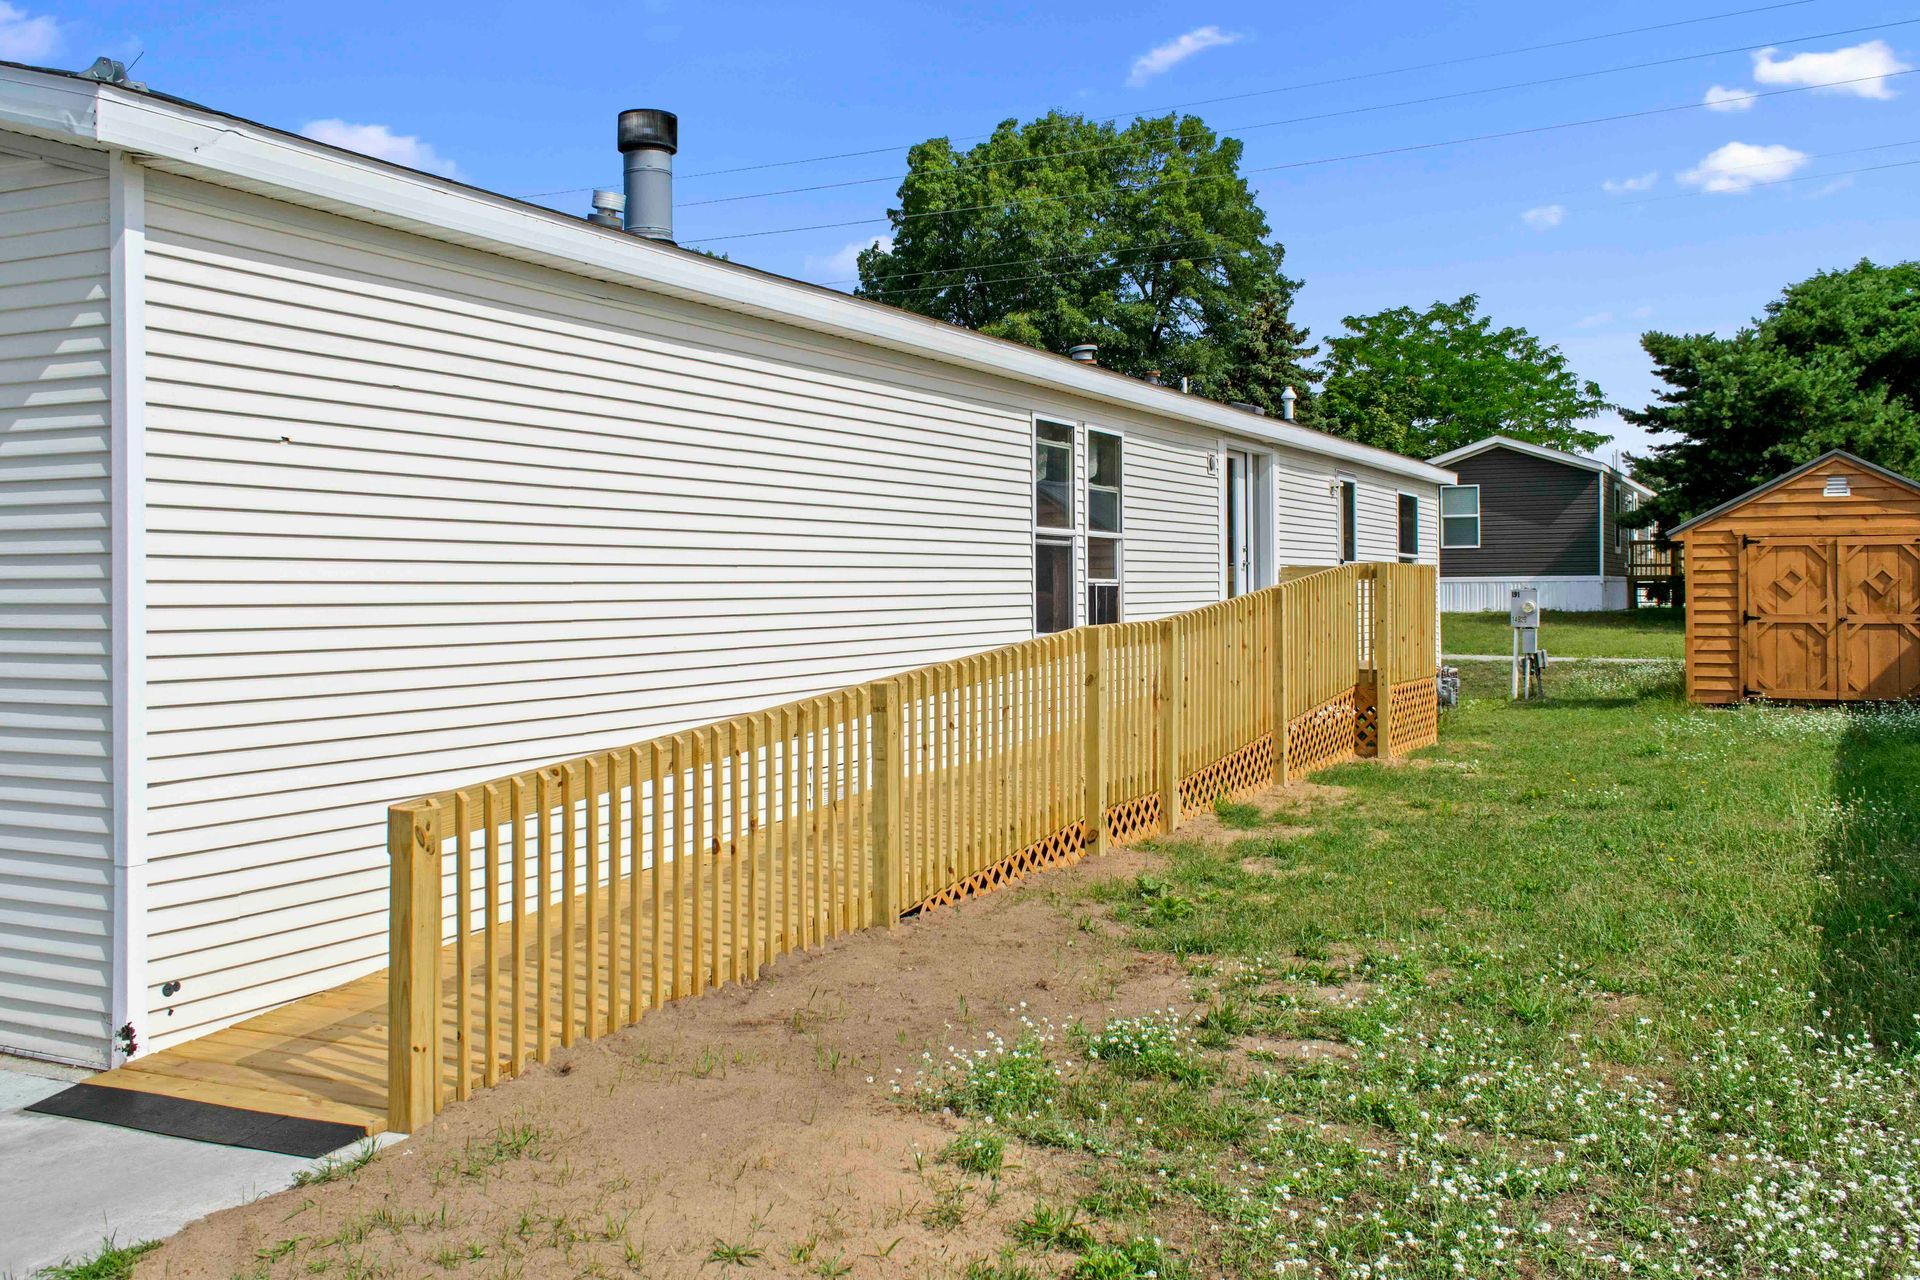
(128, 463)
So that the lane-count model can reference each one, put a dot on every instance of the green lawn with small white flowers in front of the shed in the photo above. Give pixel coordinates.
(1604, 985)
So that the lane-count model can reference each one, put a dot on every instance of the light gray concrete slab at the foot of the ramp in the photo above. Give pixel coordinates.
(68, 1185)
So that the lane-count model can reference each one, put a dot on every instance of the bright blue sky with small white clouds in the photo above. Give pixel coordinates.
(1585, 235)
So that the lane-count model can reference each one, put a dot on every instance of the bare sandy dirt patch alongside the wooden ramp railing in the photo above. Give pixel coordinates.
(754, 1127)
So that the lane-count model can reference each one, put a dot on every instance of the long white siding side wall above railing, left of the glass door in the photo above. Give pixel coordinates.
(420, 515)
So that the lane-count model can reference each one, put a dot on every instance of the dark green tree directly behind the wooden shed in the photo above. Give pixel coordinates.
(1835, 364)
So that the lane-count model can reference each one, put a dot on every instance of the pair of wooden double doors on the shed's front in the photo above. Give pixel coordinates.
(1831, 619)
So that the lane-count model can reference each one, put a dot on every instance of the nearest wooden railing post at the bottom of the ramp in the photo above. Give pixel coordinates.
(414, 964)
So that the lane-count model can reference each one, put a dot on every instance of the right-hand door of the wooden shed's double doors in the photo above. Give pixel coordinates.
(1879, 617)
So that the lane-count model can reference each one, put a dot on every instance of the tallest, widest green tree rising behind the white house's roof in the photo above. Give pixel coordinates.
(1061, 231)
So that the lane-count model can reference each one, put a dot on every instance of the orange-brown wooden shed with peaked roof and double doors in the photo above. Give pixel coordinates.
(1808, 588)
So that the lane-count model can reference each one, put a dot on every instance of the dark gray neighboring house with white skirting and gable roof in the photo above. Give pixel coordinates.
(1533, 517)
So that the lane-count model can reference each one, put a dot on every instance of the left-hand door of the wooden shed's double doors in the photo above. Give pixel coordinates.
(1792, 621)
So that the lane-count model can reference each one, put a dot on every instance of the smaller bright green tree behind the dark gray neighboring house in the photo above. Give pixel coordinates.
(1424, 383)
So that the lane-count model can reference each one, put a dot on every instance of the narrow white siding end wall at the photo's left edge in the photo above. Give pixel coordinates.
(57, 746)
